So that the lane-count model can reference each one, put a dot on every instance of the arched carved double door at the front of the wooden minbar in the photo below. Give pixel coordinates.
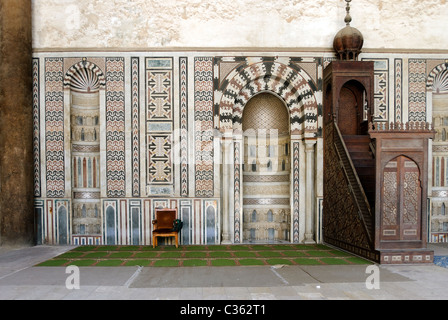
(401, 205)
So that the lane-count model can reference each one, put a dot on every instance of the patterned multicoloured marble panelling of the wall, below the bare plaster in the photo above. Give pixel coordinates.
(161, 139)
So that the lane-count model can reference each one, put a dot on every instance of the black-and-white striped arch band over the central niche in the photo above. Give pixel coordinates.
(293, 85)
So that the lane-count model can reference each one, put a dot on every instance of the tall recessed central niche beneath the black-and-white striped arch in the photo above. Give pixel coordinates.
(266, 132)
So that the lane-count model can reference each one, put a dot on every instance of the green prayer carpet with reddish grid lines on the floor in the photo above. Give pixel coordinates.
(202, 256)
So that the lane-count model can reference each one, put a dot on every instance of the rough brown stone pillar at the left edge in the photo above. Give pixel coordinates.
(16, 124)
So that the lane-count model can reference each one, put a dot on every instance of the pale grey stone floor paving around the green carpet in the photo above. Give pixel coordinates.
(19, 279)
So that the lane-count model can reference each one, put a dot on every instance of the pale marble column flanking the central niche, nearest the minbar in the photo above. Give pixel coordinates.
(309, 202)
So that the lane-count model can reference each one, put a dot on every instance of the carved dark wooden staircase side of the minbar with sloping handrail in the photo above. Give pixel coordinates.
(348, 222)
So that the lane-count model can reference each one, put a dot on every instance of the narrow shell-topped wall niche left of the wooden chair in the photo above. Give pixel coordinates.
(84, 84)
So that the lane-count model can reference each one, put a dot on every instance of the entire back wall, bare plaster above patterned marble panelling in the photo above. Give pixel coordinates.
(138, 105)
